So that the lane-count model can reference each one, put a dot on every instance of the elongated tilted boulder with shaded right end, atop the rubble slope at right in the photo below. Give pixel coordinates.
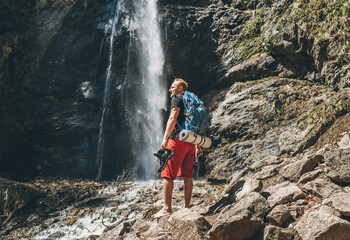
(294, 170)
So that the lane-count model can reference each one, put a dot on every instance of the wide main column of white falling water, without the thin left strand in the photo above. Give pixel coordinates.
(148, 115)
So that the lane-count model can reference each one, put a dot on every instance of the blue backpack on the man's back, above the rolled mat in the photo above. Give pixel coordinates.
(196, 117)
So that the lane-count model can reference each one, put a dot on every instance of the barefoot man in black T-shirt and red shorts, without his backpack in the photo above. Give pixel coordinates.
(181, 163)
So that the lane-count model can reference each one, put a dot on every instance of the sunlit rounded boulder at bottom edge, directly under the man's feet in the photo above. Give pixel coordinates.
(187, 224)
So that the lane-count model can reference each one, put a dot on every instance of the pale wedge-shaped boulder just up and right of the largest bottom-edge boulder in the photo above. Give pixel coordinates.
(283, 193)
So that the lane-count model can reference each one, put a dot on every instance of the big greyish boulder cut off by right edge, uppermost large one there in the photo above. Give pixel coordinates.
(338, 164)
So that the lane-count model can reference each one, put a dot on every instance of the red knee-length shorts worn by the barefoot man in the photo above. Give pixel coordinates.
(181, 164)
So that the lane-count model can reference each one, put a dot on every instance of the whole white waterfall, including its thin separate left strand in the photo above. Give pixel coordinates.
(141, 91)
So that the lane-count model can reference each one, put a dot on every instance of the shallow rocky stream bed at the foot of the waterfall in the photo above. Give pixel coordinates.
(75, 209)
